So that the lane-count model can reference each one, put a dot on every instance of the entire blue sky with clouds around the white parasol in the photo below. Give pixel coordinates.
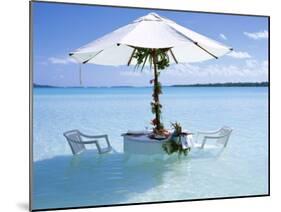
(61, 28)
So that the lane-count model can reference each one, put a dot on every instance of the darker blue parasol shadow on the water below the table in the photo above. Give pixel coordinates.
(93, 179)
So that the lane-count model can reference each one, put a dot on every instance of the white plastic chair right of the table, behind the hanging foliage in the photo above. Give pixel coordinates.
(221, 136)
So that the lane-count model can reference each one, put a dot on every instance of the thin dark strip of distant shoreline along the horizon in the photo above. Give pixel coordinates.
(228, 84)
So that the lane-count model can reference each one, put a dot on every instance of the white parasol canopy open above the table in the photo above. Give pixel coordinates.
(153, 32)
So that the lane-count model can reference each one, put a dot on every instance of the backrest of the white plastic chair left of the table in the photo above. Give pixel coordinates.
(71, 137)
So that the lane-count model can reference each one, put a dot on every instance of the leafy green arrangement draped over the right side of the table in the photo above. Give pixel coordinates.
(173, 145)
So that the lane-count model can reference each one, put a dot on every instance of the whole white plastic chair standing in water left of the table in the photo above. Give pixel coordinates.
(77, 144)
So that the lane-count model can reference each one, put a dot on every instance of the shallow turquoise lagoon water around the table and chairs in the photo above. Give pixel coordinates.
(61, 180)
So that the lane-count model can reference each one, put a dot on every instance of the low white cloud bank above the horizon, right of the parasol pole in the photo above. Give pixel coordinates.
(249, 71)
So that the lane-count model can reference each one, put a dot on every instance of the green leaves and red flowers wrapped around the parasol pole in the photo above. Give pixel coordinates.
(160, 60)
